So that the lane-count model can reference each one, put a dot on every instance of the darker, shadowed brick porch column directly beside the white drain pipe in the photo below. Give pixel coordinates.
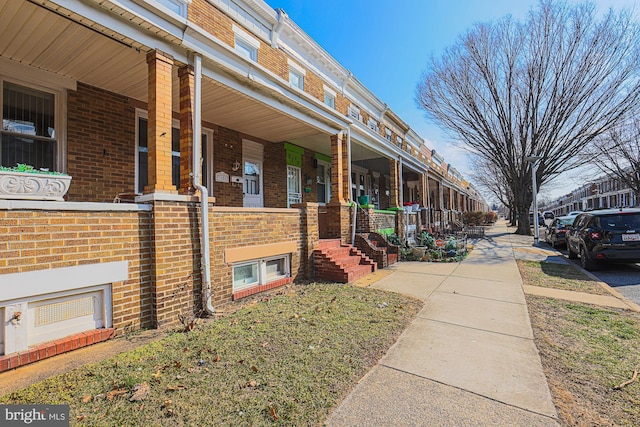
(186, 129)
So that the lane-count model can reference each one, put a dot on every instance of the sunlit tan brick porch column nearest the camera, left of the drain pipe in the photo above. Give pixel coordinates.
(159, 125)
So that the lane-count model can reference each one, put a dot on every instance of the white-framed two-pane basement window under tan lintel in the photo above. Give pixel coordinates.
(259, 272)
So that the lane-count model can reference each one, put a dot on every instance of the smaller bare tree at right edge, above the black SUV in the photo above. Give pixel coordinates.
(617, 154)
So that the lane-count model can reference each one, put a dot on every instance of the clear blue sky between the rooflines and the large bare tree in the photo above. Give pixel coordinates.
(387, 44)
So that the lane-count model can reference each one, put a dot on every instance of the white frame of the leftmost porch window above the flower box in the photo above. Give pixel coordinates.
(60, 109)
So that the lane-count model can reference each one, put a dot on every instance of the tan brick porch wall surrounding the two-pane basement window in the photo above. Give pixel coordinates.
(234, 228)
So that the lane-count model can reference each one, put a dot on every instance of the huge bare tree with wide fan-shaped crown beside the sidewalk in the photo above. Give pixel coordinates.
(545, 87)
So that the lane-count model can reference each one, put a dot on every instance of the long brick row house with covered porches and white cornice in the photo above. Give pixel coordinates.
(213, 146)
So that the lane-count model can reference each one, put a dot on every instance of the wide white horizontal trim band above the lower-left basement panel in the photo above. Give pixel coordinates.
(43, 282)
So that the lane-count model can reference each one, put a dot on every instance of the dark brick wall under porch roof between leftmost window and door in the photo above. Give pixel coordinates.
(100, 144)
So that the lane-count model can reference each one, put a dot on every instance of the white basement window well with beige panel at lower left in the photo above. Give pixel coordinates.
(46, 305)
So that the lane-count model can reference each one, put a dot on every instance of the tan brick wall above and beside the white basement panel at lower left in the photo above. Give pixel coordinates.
(39, 240)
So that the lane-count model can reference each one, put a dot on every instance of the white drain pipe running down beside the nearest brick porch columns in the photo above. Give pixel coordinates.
(197, 183)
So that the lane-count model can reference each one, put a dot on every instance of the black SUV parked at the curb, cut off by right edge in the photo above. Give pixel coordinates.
(610, 235)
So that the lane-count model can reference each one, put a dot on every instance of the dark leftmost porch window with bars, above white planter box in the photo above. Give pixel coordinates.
(28, 127)
